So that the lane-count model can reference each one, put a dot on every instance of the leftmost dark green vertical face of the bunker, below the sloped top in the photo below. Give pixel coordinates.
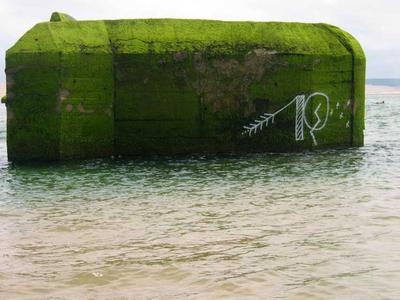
(32, 102)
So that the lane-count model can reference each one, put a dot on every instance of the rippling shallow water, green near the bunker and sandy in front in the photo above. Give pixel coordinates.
(320, 225)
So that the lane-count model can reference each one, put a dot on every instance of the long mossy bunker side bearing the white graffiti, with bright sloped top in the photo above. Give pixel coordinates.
(190, 95)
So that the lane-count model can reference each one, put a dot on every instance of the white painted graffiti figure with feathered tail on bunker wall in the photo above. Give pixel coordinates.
(301, 118)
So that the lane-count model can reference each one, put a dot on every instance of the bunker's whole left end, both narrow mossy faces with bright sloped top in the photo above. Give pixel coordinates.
(60, 78)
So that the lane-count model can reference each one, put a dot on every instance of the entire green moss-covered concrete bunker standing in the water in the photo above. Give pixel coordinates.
(83, 89)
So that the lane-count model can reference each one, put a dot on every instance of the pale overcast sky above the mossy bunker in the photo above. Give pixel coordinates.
(376, 24)
